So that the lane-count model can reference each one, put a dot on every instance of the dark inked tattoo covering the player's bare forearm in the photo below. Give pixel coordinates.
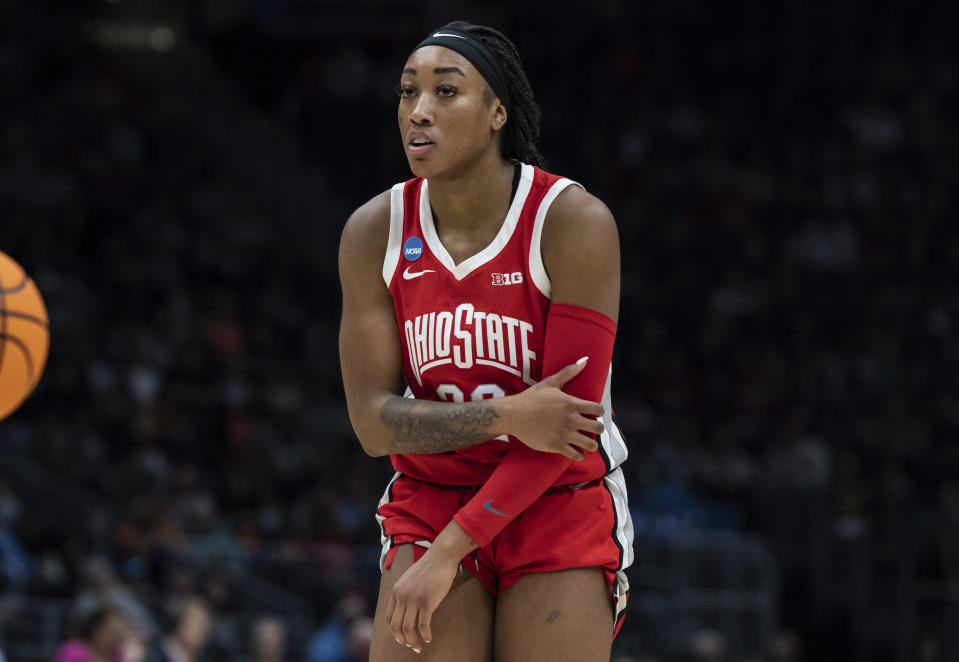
(436, 427)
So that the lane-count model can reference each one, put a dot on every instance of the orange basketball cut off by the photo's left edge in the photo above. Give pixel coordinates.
(24, 335)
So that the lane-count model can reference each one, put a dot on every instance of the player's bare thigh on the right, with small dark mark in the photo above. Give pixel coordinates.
(559, 616)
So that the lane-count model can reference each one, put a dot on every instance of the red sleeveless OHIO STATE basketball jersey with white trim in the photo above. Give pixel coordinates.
(476, 329)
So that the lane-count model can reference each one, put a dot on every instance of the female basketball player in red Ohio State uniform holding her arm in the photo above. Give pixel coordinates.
(492, 287)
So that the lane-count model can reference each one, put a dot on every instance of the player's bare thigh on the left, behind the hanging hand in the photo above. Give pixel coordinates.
(462, 625)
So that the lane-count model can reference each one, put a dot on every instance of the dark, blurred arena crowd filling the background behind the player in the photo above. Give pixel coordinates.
(782, 174)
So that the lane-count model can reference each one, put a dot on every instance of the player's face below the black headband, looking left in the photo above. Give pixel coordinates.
(447, 117)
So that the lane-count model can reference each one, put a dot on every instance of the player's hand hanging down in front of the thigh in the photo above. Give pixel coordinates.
(416, 595)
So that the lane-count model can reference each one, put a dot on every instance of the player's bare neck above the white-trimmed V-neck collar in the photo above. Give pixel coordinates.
(475, 201)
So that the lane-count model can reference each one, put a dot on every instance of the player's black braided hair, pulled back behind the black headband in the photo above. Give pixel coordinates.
(518, 139)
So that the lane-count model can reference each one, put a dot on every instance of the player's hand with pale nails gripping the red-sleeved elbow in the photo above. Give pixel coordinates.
(552, 421)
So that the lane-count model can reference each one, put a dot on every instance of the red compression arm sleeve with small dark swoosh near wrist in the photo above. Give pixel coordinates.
(524, 474)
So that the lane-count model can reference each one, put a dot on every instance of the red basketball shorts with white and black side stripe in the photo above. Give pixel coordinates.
(567, 527)
